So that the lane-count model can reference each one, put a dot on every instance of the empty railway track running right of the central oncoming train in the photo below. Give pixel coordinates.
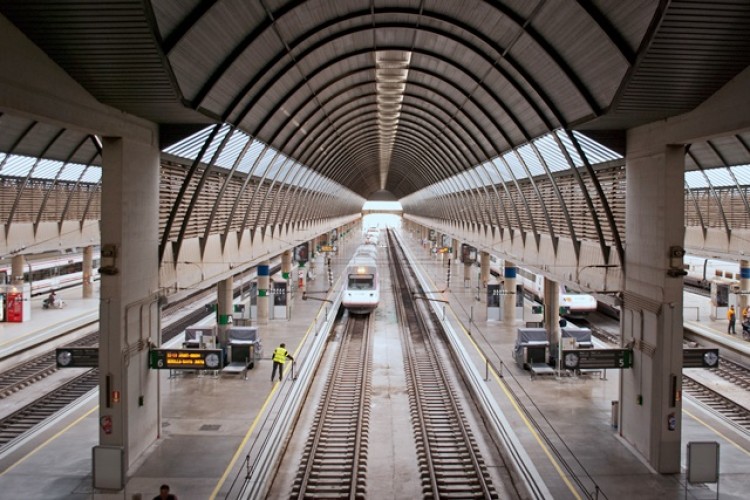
(450, 462)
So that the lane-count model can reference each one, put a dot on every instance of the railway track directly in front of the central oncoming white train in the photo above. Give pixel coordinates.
(334, 462)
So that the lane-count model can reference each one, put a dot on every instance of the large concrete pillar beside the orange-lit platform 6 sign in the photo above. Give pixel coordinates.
(129, 310)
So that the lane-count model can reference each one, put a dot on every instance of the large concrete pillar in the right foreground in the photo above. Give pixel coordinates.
(651, 317)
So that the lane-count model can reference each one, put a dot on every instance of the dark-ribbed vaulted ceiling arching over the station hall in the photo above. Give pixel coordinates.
(394, 95)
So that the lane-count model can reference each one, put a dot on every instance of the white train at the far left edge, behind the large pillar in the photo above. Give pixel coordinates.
(51, 271)
